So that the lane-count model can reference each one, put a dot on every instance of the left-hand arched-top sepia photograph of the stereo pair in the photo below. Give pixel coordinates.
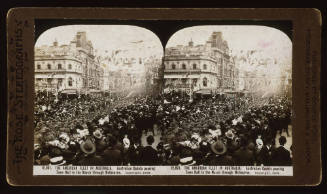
(96, 89)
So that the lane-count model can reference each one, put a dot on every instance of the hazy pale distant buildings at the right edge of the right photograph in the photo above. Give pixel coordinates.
(262, 75)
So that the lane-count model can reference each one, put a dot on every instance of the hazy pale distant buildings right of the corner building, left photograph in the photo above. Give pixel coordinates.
(127, 71)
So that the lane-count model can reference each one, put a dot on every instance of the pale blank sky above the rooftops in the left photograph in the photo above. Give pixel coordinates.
(106, 37)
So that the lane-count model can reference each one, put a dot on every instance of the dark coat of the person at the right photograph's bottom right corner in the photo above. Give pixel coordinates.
(281, 157)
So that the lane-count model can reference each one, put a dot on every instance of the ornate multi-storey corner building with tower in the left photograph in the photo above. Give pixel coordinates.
(68, 68)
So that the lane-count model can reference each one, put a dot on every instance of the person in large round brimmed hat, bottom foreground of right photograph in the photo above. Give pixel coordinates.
(218, 155)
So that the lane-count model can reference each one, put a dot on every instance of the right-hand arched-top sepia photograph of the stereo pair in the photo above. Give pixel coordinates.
(228, 96)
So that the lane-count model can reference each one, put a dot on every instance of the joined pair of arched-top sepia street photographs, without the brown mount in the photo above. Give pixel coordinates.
(111, 95)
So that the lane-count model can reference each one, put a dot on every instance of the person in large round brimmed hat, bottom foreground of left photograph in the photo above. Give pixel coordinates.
(89, 158)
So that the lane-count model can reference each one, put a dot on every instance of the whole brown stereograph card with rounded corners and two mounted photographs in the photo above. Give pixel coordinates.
(108, 96)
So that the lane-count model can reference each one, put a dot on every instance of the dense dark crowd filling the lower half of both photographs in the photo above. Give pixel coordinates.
(107, 130)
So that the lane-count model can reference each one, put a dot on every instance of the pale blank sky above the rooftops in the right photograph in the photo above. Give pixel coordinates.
(272, 42)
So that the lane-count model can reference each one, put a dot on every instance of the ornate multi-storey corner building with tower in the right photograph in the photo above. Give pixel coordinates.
(201, 68)
